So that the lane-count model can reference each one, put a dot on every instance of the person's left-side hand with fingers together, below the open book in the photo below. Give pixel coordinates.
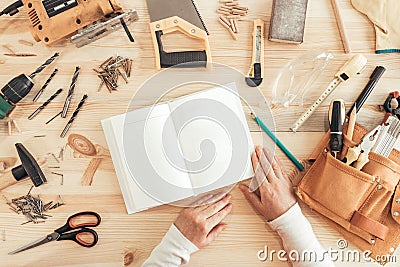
(201, 225)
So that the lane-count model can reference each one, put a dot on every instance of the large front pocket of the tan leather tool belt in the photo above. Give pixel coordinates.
(334, 189)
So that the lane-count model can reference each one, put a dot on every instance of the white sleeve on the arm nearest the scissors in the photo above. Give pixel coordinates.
(174, 250)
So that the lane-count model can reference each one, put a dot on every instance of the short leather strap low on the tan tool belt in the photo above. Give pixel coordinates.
(371, 226)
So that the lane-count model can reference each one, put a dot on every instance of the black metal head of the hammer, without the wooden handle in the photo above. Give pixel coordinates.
(28, 168)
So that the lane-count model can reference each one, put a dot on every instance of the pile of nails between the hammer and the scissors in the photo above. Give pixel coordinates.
(33, 208)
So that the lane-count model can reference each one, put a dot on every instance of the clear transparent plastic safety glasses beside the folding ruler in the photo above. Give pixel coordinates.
(298, 76)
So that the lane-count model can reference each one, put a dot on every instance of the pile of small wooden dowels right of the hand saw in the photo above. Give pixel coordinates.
(230, 12)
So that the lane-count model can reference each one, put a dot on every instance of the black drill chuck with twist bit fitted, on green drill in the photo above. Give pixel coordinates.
(20, 86)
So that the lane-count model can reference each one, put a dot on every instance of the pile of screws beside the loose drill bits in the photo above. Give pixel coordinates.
(111, 69)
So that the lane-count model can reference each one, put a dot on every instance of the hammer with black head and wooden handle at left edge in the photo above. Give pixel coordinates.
(28, 168)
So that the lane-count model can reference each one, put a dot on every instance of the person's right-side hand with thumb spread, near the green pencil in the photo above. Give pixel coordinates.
(276, 192)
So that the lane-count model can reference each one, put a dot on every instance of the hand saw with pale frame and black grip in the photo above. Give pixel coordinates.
(183, 16)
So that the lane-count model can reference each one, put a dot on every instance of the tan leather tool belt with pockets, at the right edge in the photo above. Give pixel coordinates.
(364, 205)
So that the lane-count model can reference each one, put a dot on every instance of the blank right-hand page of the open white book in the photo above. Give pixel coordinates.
(207, 142)
